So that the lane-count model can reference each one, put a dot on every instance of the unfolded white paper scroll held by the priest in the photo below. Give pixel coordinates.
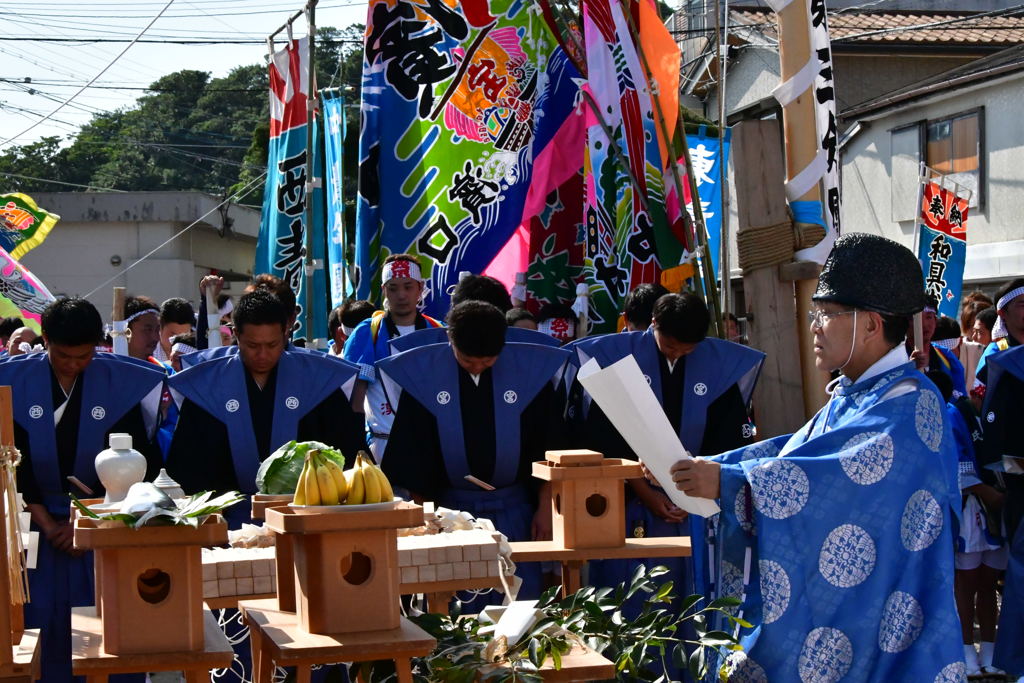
(626, 398)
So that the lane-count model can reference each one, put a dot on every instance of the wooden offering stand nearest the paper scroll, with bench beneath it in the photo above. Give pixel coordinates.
(588, 517)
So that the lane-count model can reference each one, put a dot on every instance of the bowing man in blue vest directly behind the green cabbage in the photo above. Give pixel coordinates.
(239, 409)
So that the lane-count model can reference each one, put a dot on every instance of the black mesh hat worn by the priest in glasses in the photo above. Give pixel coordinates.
(871, 273)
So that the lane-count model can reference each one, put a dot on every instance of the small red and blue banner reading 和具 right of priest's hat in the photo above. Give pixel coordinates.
(943, 244)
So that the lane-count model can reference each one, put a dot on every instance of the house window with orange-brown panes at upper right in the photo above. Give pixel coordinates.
(954, 148)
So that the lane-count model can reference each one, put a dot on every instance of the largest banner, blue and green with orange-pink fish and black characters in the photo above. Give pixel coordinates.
(453, 99)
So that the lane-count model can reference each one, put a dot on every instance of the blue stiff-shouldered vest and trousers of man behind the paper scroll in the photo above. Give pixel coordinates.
(712, 369)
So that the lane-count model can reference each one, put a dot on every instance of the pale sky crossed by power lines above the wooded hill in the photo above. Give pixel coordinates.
(59, 70)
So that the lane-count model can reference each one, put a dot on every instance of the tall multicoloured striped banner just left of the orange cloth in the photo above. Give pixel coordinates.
(629, 238)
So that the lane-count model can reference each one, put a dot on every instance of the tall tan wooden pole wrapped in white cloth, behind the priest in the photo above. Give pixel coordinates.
(801, 149)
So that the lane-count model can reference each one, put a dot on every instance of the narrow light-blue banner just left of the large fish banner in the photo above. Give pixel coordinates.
(334, 141)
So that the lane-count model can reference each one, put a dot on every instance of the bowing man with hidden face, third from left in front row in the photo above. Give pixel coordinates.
(483, 408)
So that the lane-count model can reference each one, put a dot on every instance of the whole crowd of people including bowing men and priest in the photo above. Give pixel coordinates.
(872, 544)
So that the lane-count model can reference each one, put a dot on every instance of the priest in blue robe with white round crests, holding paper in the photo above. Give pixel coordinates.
(840, 536)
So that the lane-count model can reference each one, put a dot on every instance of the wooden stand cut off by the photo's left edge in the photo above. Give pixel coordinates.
(19, 648)
